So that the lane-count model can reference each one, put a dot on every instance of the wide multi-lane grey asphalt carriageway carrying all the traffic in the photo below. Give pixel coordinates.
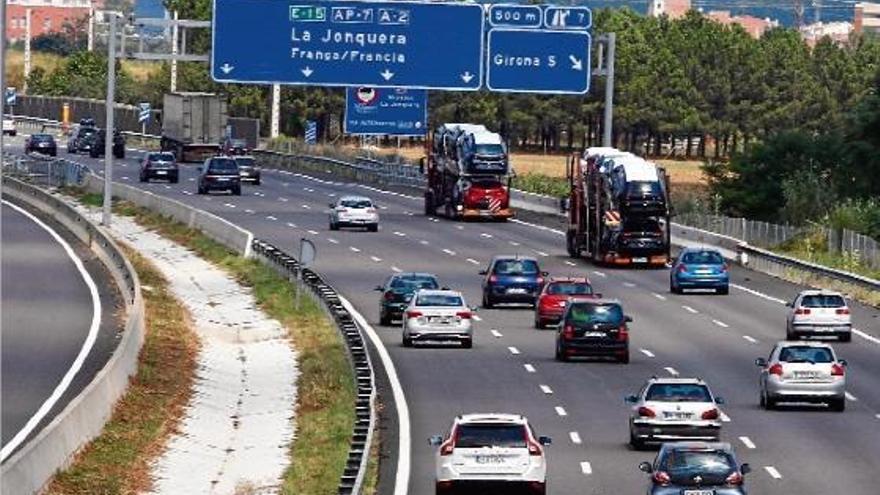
(580, 404)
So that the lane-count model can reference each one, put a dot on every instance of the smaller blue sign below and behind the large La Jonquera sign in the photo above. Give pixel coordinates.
(380, 111)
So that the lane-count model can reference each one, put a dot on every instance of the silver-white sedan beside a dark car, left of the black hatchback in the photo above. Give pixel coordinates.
(438, 315)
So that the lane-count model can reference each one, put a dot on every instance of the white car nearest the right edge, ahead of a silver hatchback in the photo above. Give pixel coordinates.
(819, 313)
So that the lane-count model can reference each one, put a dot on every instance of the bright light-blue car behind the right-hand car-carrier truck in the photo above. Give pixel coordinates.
(699, 268)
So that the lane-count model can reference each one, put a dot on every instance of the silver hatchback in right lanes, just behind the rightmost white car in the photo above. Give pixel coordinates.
(802, 372)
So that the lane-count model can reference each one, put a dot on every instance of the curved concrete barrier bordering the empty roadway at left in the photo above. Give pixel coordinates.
(83, 418)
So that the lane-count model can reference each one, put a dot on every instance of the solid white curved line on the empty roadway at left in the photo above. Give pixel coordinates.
(84, 351)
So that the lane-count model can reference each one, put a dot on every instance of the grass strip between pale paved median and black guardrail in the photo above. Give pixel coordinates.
(325, 389)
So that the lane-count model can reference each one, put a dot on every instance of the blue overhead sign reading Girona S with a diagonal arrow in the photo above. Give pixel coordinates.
(532, 61)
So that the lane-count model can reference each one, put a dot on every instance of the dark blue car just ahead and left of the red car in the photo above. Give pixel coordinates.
(512, 279)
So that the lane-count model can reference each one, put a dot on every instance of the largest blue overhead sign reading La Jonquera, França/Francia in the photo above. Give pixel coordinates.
(348, 43)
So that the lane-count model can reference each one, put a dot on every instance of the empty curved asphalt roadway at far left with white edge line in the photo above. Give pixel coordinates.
(58, 321)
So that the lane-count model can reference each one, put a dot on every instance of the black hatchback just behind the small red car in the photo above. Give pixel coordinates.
(593, 328)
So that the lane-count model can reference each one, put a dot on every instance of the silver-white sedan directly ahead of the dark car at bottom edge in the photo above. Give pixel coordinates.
(674, 409)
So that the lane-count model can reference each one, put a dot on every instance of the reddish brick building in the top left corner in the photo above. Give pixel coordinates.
(47, 16)
